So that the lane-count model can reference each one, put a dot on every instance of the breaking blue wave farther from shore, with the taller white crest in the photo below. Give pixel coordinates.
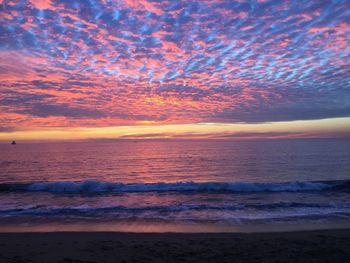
(93, 186)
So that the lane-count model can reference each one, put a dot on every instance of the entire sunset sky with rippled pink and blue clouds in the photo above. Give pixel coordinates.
(75, 69)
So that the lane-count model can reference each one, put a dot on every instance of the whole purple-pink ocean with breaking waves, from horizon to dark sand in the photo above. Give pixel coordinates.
(175, 185)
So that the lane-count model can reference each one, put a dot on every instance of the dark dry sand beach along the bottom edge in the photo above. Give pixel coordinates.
(307, 246)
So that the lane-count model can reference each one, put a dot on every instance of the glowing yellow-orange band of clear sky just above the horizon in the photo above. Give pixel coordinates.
(335, 127)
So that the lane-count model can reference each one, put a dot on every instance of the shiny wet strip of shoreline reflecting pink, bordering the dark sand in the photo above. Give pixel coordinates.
(163, 227)
